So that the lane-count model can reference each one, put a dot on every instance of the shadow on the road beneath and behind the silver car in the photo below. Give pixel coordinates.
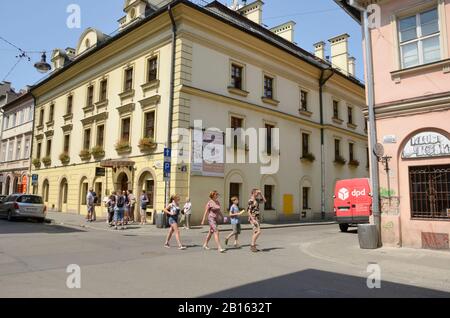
(24, 226)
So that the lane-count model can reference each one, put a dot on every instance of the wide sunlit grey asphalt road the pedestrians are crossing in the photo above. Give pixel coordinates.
(306, 261)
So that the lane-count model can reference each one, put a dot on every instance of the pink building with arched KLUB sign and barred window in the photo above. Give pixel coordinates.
(410, 41)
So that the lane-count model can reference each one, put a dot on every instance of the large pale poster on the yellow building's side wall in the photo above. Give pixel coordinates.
(208, 154)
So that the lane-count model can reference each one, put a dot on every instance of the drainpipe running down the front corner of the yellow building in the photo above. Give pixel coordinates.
(171, 94)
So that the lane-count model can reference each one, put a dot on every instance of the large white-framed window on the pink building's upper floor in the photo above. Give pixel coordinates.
(419, 38)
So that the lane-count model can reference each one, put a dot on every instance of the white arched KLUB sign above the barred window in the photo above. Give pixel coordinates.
(427, 145)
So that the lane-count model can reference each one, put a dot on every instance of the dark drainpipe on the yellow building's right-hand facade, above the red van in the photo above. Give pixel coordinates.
(322, 81)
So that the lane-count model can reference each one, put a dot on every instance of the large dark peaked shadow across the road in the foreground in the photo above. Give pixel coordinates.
(320, 284)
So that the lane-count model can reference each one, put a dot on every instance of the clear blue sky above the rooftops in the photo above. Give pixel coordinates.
(41, 25)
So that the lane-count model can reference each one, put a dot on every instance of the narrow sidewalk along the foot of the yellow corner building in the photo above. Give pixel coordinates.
(75, 220)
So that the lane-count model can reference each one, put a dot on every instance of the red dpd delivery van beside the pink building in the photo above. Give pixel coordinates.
(352, 202)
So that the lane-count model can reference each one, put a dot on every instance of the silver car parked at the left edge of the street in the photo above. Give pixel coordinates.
(23, 206)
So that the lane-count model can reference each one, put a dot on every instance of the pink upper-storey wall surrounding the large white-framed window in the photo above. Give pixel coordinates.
(419, 84)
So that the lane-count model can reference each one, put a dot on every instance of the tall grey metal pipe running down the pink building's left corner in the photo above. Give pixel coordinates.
(372, 127)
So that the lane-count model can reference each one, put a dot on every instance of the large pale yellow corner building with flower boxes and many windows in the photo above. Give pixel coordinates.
(109, 102)
